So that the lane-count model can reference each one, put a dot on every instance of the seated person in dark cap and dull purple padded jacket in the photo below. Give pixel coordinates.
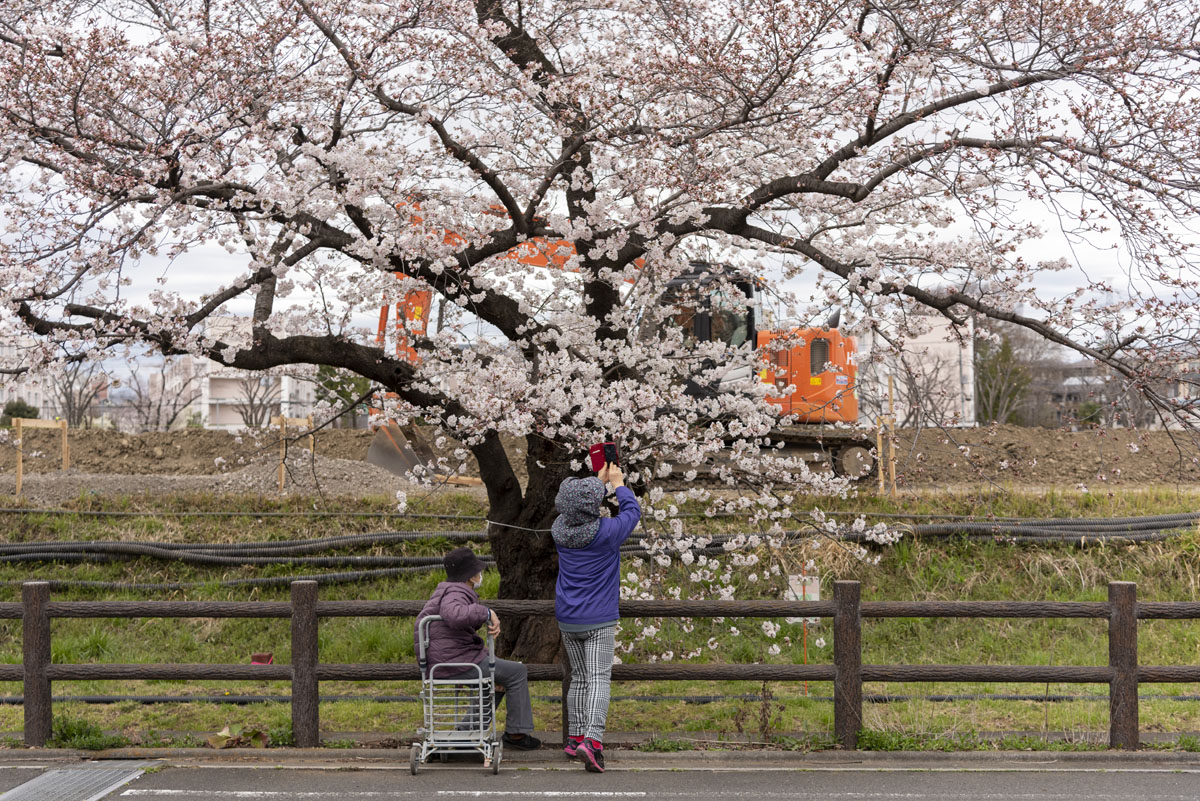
(454, 640)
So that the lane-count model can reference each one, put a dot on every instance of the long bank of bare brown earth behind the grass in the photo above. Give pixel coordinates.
(106, 462)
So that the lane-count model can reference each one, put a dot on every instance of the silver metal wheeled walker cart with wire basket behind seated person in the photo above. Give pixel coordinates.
(459, 704)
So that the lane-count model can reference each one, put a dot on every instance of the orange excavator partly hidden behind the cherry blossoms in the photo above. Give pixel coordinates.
(817, 363)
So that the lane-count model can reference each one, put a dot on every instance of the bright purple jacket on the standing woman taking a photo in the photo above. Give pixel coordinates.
(589, 588)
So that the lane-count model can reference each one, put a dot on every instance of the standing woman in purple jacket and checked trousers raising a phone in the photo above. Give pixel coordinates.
(587, 598)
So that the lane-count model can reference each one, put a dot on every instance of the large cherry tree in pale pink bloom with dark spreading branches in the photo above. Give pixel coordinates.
(899, 154)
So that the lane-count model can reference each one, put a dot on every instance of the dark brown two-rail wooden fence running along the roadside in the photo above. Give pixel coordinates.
(848, 672)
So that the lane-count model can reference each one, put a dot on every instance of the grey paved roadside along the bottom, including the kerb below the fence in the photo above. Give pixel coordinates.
(832, 776)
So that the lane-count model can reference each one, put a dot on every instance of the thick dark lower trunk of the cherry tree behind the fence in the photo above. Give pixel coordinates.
(524, 550)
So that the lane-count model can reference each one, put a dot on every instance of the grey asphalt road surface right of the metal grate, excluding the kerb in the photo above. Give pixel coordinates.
(455, 785)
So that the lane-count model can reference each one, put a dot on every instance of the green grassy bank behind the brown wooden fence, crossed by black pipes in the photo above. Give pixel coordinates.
(911, 570)
